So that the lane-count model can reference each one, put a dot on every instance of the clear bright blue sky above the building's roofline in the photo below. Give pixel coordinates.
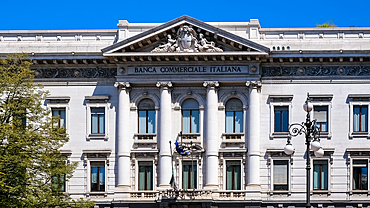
(93, 14)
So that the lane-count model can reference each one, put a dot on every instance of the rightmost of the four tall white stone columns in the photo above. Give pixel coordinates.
(253, 183)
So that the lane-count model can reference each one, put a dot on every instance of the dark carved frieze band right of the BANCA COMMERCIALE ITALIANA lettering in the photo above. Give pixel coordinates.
(316, 71)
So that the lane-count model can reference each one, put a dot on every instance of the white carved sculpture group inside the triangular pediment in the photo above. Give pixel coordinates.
(186, 41)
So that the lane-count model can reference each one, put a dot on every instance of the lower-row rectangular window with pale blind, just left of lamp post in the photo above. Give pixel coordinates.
(280, 175)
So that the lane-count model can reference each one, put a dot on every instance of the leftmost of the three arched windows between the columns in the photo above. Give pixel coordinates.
(146, 109)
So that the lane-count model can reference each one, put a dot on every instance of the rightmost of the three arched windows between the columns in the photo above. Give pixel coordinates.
(234, 116)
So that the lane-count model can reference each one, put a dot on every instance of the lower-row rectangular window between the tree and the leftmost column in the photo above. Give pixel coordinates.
(97, 176)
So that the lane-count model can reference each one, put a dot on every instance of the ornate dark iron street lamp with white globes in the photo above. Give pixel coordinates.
(312, 133)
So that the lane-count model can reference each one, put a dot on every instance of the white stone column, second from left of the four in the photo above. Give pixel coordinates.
(164, 135)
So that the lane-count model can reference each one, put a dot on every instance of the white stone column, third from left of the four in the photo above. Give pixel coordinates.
(212, 144)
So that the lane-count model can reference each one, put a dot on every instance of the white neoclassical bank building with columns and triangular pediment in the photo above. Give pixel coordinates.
(226, 92)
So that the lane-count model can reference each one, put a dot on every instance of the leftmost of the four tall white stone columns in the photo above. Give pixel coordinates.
(123, 136)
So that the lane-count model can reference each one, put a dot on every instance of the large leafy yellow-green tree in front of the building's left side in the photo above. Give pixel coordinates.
(32, 169)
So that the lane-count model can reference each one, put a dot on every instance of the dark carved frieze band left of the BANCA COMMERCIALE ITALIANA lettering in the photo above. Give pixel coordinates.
(75, 72)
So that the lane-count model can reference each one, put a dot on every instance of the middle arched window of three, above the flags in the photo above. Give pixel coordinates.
(190, 116)
